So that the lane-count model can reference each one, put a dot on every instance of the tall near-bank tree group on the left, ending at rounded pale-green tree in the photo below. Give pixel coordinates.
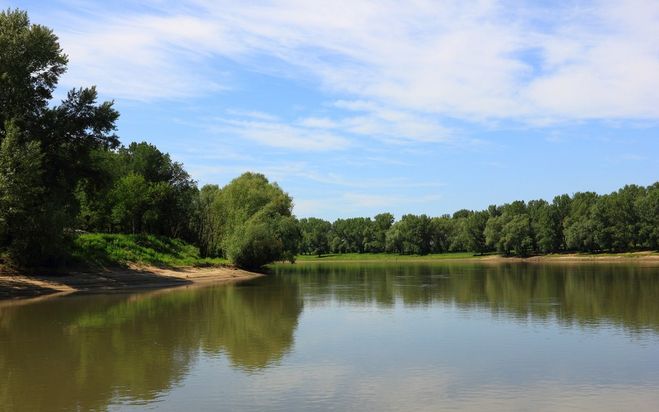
(63, 171)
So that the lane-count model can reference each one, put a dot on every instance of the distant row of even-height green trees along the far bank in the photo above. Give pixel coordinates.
(621, 221)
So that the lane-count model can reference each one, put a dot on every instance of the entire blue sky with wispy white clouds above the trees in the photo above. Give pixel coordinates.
(358, 107)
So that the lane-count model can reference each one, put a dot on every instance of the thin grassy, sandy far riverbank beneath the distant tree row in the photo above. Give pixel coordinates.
(633, 257)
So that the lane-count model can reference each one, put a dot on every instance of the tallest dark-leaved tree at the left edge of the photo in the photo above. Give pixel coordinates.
(64, 135)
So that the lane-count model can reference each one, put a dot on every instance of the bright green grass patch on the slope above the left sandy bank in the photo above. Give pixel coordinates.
(97, 249)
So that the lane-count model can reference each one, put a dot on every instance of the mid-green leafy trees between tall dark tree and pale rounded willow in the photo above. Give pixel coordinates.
(147, 192)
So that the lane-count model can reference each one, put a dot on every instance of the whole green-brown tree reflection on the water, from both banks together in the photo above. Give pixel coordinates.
(89, 352)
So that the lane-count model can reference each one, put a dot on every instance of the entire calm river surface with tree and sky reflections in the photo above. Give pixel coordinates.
(367, 337)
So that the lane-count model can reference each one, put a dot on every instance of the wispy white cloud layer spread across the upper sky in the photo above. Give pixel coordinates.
(470, 60)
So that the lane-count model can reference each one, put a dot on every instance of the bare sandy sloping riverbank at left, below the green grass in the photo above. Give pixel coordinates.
(120, 279)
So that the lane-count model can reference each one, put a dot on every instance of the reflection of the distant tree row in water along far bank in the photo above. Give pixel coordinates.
(625, 295)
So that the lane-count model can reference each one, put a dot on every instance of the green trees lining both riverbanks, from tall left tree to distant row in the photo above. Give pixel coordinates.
(64, 172)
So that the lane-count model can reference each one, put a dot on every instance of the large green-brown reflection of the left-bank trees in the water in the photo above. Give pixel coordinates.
(81, 352)
